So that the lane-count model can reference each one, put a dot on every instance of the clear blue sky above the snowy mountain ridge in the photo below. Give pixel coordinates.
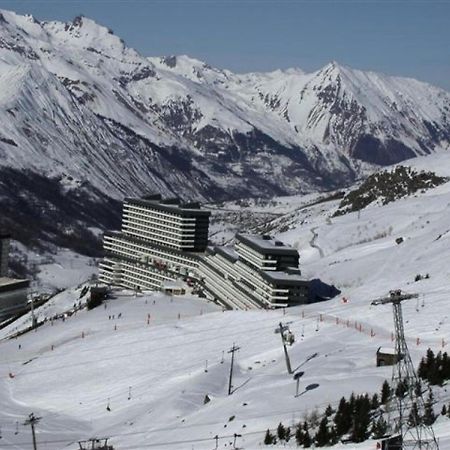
(400, 37)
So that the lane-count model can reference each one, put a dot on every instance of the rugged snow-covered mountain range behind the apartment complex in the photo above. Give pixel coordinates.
(94, 121)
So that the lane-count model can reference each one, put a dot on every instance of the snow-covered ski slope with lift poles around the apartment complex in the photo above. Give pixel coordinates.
(141, 379)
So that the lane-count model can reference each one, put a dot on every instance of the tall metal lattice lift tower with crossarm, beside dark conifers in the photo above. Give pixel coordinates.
(407, 401)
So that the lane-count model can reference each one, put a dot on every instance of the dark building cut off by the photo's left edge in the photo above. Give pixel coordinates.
(13, 292)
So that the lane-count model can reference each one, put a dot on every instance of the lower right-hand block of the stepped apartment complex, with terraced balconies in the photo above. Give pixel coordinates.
(259, 272)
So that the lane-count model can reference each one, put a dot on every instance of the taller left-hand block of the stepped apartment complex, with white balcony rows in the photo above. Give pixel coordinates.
(159, 242)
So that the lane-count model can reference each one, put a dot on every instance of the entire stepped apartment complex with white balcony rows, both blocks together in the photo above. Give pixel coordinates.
(163, 245)
